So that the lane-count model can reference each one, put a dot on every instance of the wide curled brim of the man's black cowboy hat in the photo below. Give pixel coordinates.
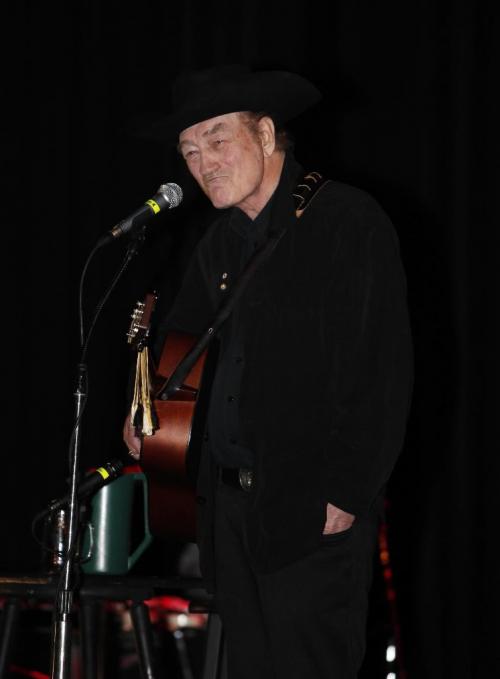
(280, 94)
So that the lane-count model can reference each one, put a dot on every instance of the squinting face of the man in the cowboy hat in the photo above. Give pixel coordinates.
(226, 159)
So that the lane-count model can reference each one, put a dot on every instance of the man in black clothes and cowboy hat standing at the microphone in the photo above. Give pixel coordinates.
(310, 398)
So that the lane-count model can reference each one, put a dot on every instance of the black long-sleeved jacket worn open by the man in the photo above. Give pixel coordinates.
(326, 389)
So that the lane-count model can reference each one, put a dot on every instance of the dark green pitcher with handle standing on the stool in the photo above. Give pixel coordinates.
(118, 530)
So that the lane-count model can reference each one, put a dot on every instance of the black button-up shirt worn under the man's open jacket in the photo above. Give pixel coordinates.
(223, 428)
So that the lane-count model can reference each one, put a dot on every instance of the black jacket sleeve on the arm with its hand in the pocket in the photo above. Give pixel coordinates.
(372, 364)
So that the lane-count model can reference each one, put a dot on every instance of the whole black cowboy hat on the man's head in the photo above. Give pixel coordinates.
(204, 94)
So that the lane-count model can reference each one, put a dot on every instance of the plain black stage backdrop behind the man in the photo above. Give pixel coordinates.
(408, 114)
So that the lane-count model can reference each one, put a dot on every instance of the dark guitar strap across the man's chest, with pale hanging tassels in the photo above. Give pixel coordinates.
(142, 410)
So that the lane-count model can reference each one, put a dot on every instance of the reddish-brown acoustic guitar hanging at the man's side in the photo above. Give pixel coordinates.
(170, 455)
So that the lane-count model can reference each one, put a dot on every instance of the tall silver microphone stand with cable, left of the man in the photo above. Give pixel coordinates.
(63, 605)
